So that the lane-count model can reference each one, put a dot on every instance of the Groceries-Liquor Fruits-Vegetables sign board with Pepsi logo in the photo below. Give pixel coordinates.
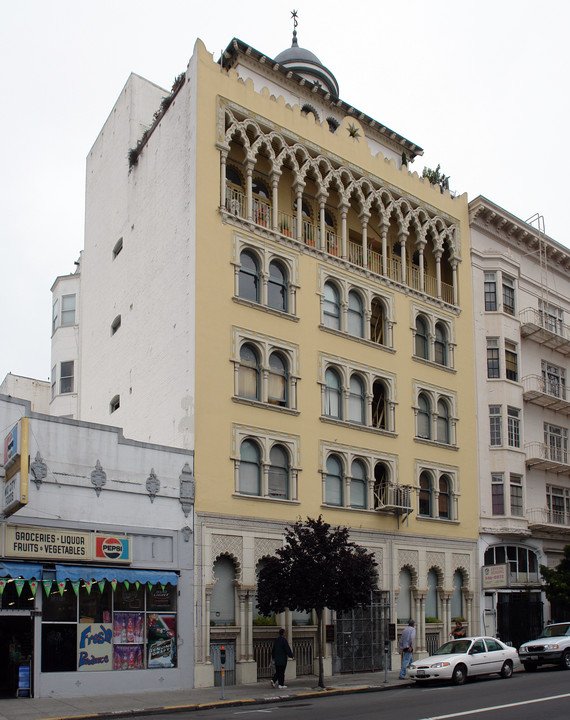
(41, 543)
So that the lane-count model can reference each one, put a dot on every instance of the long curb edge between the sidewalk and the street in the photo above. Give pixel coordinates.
(265, 700)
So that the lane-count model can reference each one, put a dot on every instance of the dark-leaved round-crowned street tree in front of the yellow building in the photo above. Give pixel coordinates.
(318, 567)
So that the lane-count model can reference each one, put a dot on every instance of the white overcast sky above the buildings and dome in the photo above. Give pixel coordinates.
(482, 86)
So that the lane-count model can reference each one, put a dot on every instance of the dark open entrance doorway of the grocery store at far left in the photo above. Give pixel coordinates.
(16, 644)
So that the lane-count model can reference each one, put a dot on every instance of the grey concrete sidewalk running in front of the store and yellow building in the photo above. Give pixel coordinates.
(129, 704)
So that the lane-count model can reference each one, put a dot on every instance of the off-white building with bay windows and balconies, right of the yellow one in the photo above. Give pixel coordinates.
(521, 300)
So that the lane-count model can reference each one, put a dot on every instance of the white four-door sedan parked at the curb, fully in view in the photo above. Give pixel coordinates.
(459, 659)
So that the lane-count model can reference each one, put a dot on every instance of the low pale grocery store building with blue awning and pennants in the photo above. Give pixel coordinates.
(86, 482)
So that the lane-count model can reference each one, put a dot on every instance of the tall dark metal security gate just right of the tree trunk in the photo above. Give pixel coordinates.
(361, 633)
